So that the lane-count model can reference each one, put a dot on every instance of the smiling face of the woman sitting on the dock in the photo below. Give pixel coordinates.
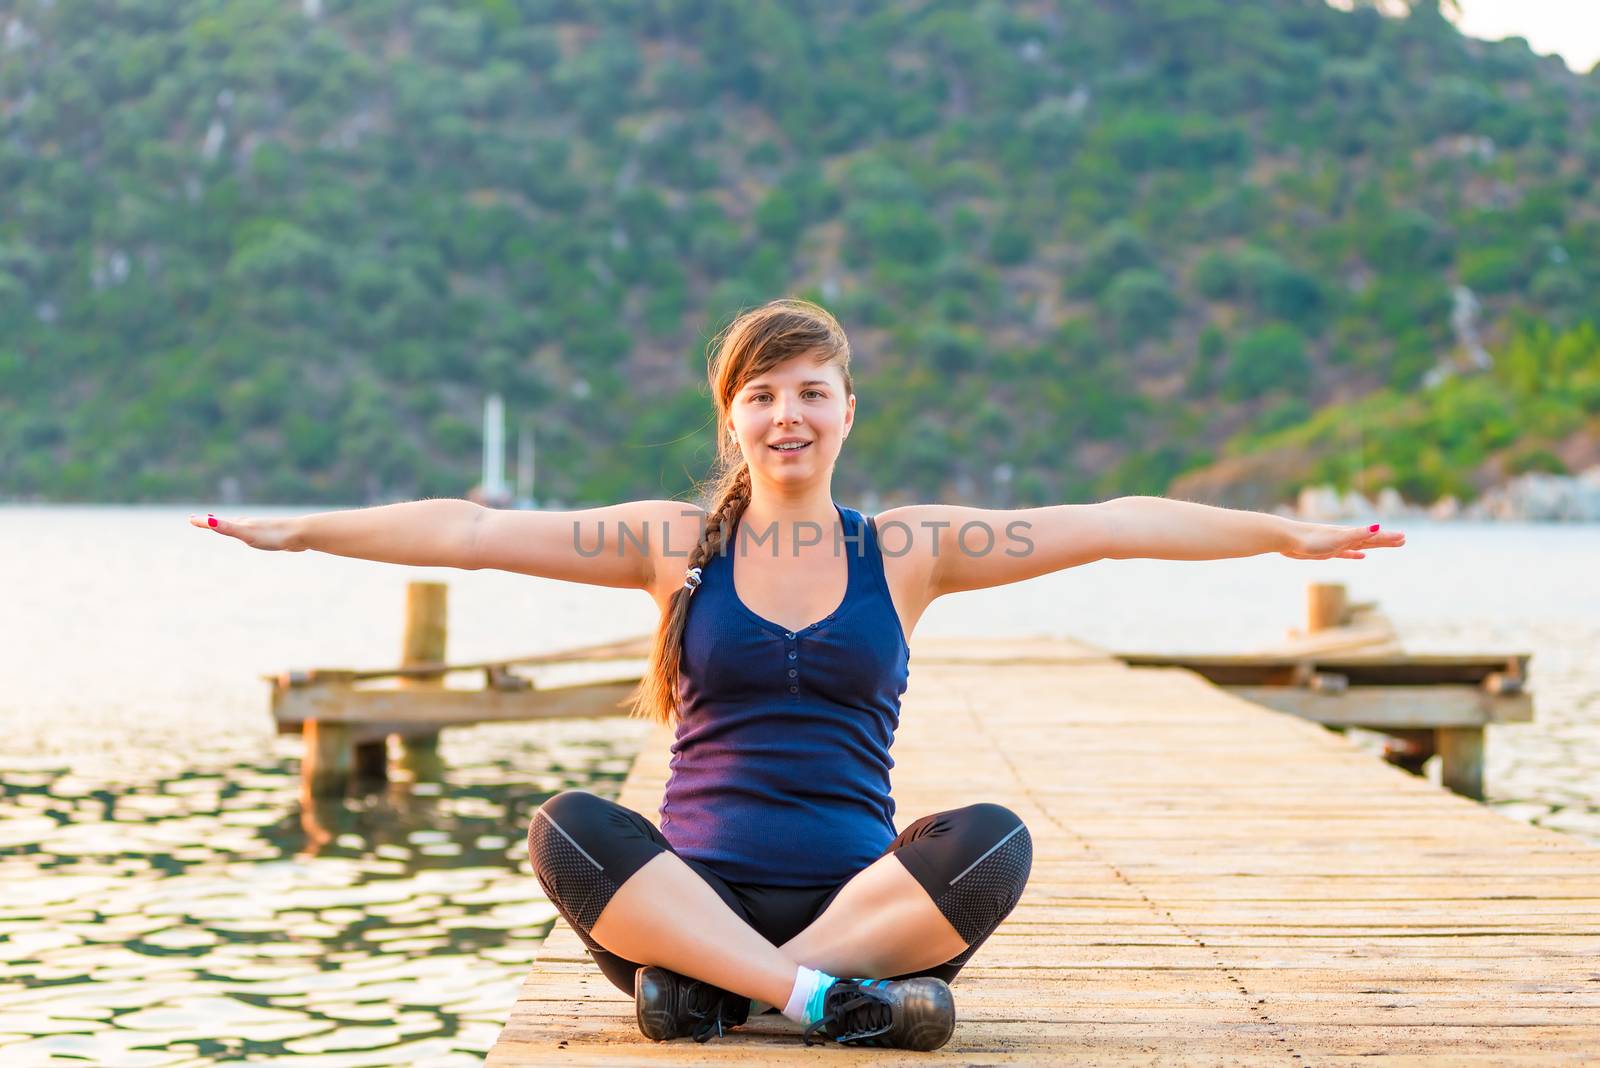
(799, 400)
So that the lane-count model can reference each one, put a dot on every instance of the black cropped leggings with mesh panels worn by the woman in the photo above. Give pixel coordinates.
(974, 864)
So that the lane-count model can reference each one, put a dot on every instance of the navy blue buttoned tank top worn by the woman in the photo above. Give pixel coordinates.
(782, 763)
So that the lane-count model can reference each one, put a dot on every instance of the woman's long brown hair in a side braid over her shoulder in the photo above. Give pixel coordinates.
(753, 345)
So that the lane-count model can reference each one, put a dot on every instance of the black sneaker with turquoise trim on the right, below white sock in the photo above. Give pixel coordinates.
(906, 1014)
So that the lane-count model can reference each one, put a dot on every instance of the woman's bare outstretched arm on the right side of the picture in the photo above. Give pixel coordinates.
(972, 549)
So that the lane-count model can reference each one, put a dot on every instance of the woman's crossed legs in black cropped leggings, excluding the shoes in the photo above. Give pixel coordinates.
(938, 893)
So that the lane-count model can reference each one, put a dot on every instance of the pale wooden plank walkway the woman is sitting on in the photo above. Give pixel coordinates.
(1214, 883)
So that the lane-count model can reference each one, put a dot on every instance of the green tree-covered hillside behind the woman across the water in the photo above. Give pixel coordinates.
(1082, 249)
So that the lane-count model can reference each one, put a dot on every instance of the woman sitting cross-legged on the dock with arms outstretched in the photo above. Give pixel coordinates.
(782, 658)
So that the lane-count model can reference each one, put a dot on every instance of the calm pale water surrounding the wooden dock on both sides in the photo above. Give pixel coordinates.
(167, 901)
